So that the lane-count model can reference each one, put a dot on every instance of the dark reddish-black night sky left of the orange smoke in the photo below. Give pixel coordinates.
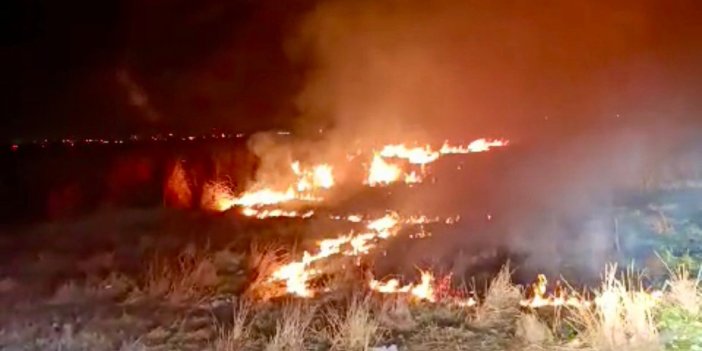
(85, 67)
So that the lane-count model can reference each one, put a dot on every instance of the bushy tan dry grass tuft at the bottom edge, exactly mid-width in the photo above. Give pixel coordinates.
(355, 329)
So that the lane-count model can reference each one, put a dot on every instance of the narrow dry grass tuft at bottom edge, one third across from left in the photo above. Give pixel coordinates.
(238, 336)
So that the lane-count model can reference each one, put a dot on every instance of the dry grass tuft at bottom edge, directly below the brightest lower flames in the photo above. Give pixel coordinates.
(291, 328)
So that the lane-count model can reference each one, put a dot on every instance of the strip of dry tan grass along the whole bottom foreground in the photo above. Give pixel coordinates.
(182, 307)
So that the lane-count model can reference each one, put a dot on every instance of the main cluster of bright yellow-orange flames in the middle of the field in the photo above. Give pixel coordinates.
(309, 183)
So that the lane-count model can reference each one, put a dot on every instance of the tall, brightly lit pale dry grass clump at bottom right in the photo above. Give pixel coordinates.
(622, 318)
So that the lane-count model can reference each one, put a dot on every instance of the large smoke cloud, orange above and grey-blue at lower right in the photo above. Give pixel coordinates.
(590, 93)
